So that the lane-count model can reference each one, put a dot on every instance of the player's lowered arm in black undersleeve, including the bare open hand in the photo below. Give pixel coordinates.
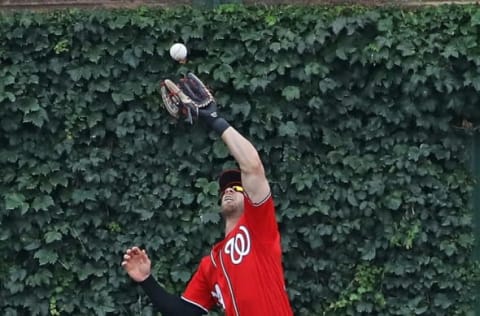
(138, 266)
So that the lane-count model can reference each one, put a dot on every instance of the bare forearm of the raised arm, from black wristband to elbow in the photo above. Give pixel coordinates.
(243, 151)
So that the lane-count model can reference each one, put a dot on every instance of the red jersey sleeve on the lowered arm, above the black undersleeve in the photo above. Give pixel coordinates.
(198, 291)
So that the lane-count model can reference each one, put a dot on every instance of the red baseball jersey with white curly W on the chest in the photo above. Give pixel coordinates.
(243, 273)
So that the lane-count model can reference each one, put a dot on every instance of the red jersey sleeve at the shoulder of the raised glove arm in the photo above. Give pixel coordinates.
(261, 219)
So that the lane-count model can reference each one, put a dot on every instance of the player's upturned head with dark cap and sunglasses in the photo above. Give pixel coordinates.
(231, 192)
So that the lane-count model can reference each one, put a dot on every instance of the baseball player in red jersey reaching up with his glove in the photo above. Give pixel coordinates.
(243, 274)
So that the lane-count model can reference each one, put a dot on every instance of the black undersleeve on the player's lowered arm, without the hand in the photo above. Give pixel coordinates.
(166, 303)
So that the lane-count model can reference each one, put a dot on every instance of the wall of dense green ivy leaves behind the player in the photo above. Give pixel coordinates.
(362, 116)
